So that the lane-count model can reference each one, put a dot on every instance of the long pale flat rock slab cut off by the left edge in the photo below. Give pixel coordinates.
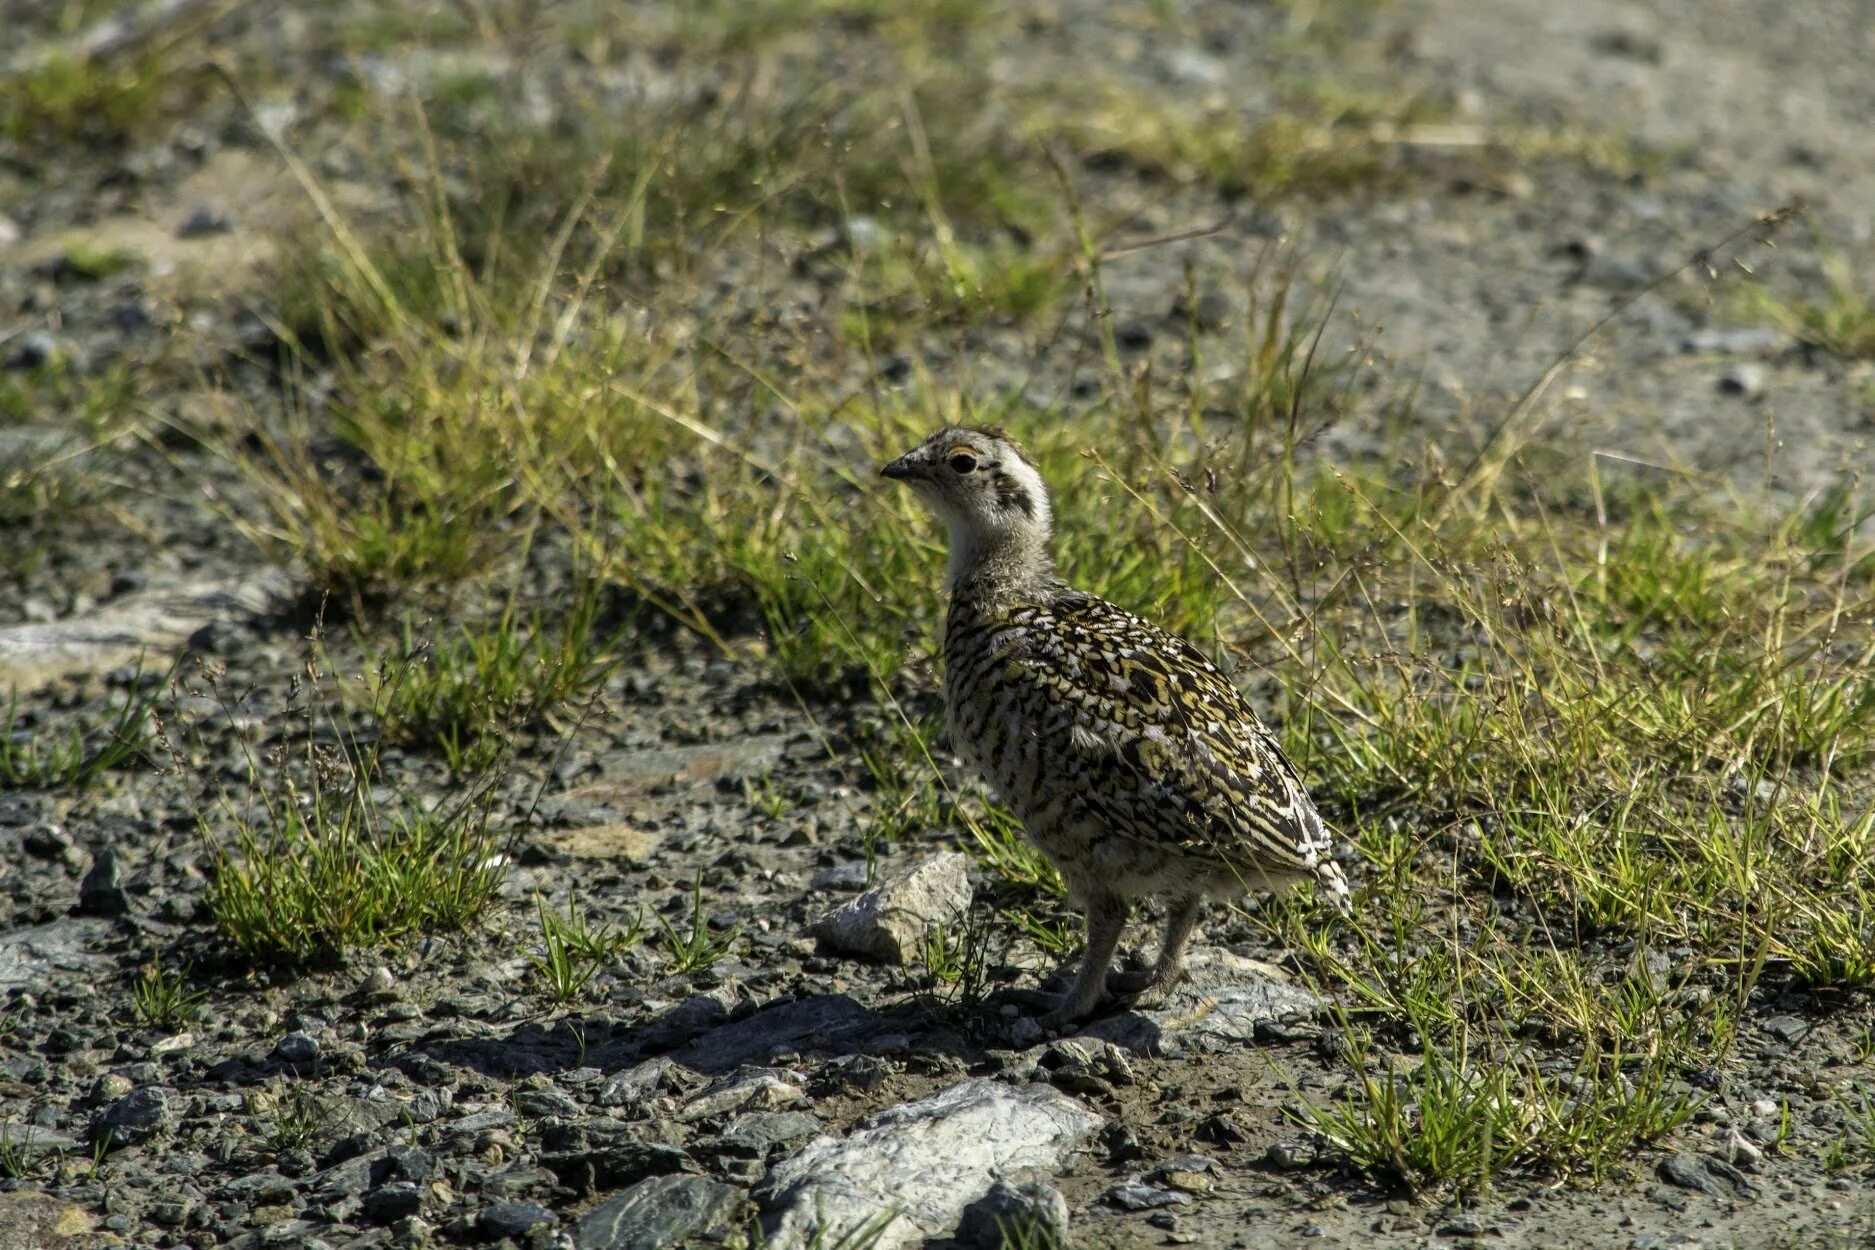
(157, 619)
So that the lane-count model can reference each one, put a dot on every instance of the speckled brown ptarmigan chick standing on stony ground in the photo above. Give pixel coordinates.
(1132, 762)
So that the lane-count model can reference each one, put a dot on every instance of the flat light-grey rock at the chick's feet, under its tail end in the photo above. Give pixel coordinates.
(1220, 1005)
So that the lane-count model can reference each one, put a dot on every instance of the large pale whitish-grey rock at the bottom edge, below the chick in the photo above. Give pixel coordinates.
(910, 1172)
